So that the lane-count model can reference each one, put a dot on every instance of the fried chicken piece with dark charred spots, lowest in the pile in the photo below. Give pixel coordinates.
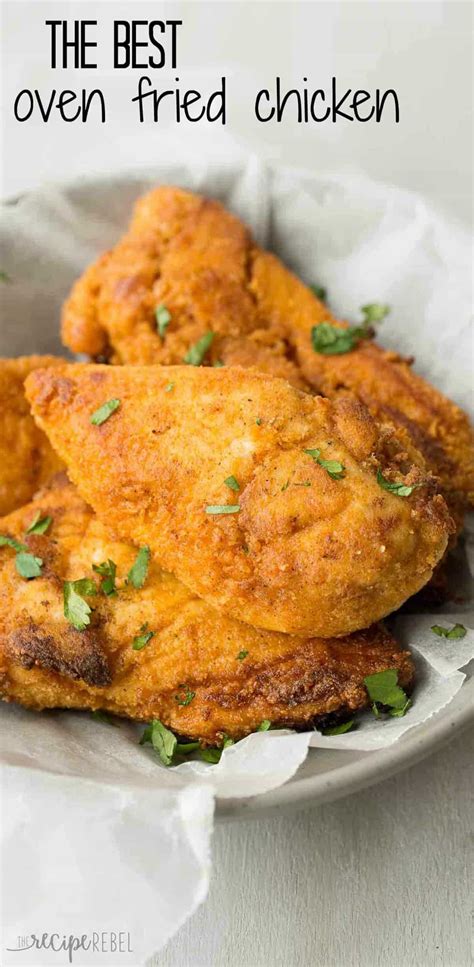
(237, 676)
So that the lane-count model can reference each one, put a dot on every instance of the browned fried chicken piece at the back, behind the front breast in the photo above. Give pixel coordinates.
(194, 257)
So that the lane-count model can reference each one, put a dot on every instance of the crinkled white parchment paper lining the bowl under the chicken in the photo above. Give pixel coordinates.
(98, 838)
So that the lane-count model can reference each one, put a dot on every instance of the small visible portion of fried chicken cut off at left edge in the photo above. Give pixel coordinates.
(27, 458)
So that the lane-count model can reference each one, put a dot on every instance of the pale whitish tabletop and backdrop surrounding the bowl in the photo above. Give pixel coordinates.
(381, 877)
